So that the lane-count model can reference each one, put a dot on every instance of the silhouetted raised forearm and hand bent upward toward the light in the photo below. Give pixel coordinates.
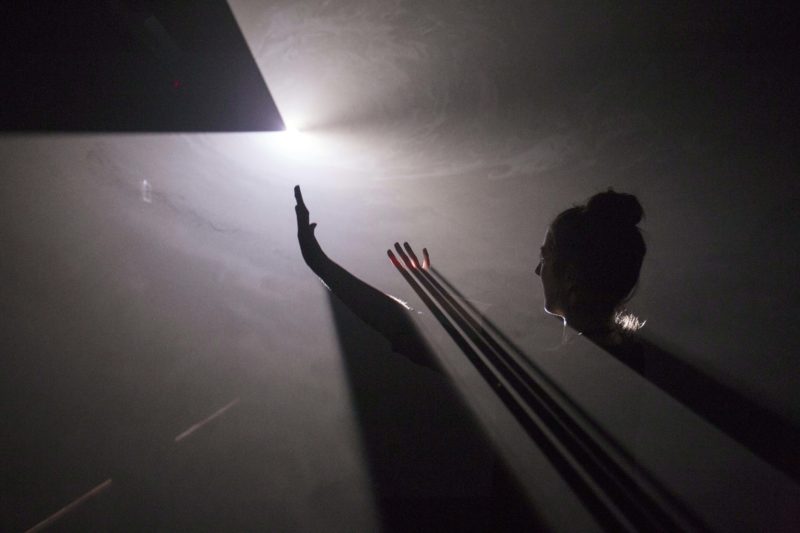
(378, 310)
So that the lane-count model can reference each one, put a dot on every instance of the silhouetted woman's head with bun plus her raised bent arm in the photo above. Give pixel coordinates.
(589, 265)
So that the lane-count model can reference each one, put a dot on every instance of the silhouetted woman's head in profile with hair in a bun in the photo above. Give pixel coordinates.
(592, 256)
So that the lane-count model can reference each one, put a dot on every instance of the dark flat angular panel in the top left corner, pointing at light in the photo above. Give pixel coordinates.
(129, 65)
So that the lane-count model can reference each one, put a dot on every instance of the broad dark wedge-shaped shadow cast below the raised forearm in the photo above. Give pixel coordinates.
(430, 467)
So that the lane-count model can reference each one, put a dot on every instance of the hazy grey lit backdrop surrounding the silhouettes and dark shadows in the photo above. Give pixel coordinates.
(149, 280)
